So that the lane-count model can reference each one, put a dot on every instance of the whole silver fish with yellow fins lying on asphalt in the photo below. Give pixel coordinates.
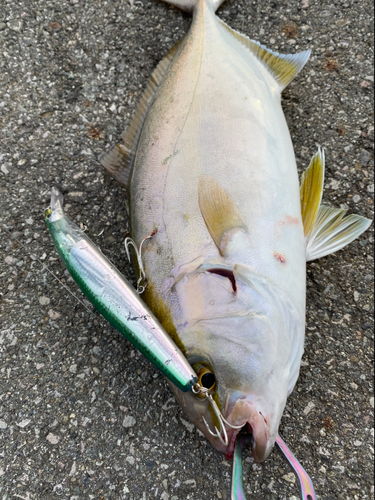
(209, 165)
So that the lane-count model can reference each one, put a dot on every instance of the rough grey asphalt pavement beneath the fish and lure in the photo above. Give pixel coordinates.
(82, 414)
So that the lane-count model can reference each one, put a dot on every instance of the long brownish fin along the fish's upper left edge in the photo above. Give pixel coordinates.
(119, 159)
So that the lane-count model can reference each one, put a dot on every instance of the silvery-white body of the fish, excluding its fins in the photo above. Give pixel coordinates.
(218, 114)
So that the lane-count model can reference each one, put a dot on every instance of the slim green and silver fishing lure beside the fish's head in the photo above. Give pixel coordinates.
(114, 297)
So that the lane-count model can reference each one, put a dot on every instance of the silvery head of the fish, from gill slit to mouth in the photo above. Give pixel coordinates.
(238, 341)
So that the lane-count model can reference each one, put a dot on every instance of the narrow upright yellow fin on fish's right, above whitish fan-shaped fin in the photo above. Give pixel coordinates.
(311, 190)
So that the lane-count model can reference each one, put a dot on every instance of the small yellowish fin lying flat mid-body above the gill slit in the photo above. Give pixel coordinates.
(219, 211)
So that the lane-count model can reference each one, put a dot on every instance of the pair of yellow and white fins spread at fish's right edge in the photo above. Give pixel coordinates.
(327, 230)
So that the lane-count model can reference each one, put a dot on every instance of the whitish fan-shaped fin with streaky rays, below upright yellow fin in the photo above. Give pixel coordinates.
(332, 231)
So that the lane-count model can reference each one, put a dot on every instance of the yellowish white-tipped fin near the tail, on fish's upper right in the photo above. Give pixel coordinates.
(283, 67)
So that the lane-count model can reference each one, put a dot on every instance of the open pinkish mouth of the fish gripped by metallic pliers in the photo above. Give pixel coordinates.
(254, 423)
